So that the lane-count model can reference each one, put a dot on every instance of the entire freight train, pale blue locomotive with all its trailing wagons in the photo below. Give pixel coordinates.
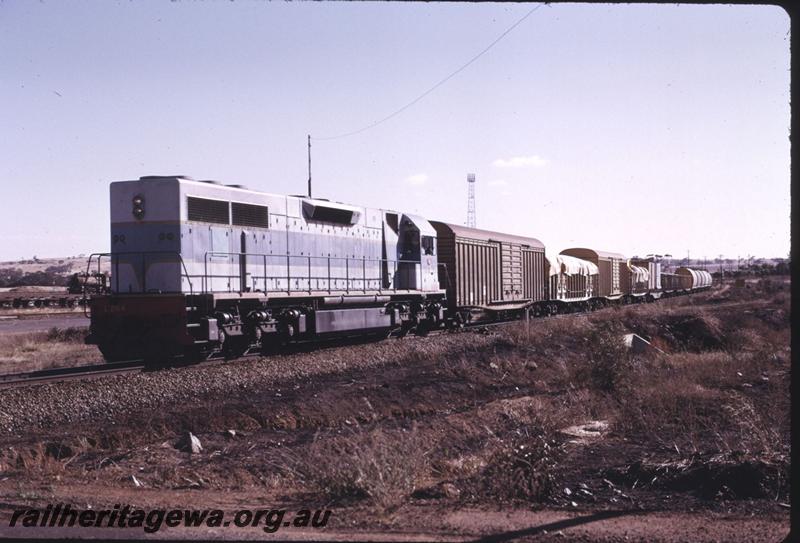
(200, 269)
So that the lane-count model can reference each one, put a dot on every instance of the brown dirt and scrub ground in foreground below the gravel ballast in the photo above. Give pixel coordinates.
(554, 431)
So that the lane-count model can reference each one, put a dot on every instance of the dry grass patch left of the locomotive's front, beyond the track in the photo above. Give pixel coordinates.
(42, 350)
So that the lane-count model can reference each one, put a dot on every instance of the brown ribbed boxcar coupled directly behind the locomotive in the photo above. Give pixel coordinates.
(489, 270)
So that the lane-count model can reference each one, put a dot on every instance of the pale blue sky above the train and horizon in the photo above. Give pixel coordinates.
(628, 128)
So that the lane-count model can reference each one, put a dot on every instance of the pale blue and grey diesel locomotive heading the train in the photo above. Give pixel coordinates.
(199, 269)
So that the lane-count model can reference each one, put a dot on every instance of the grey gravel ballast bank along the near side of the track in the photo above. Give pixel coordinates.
(103, 400)
